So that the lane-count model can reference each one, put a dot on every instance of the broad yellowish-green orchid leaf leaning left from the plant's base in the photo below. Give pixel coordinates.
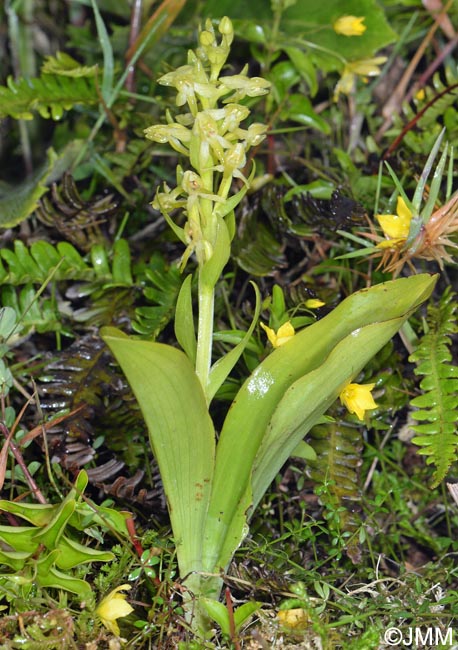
(181, 434)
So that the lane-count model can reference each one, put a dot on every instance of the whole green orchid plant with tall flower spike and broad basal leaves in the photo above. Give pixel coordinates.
(214, 482)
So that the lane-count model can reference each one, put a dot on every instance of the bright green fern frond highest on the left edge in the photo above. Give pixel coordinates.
(49, 95)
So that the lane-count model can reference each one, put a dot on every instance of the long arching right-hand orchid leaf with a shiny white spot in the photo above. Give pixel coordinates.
(247, 421)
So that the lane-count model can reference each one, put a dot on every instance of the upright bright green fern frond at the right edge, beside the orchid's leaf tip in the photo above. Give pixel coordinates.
(437, 406)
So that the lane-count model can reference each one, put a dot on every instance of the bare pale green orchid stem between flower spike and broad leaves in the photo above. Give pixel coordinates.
(204, 332)
